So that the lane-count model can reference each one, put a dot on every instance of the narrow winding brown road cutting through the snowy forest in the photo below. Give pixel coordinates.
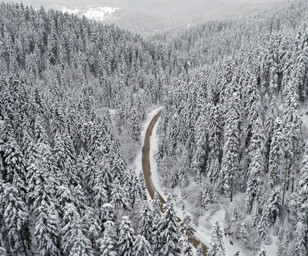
(146, 166)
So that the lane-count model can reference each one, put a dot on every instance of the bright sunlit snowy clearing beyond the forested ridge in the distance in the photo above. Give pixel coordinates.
(98, 13)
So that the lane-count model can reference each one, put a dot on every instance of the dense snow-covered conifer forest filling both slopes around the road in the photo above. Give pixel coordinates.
(232, 137)
